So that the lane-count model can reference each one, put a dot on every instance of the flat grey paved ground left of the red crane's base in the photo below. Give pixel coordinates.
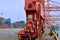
(9, 34)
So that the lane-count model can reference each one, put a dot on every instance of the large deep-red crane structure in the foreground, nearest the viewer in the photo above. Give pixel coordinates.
(34, 20)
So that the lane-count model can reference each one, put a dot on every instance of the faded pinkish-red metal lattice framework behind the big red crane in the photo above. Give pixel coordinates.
(51, 6)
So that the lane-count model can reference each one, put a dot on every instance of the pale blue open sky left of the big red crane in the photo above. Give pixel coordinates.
(13, 9)
